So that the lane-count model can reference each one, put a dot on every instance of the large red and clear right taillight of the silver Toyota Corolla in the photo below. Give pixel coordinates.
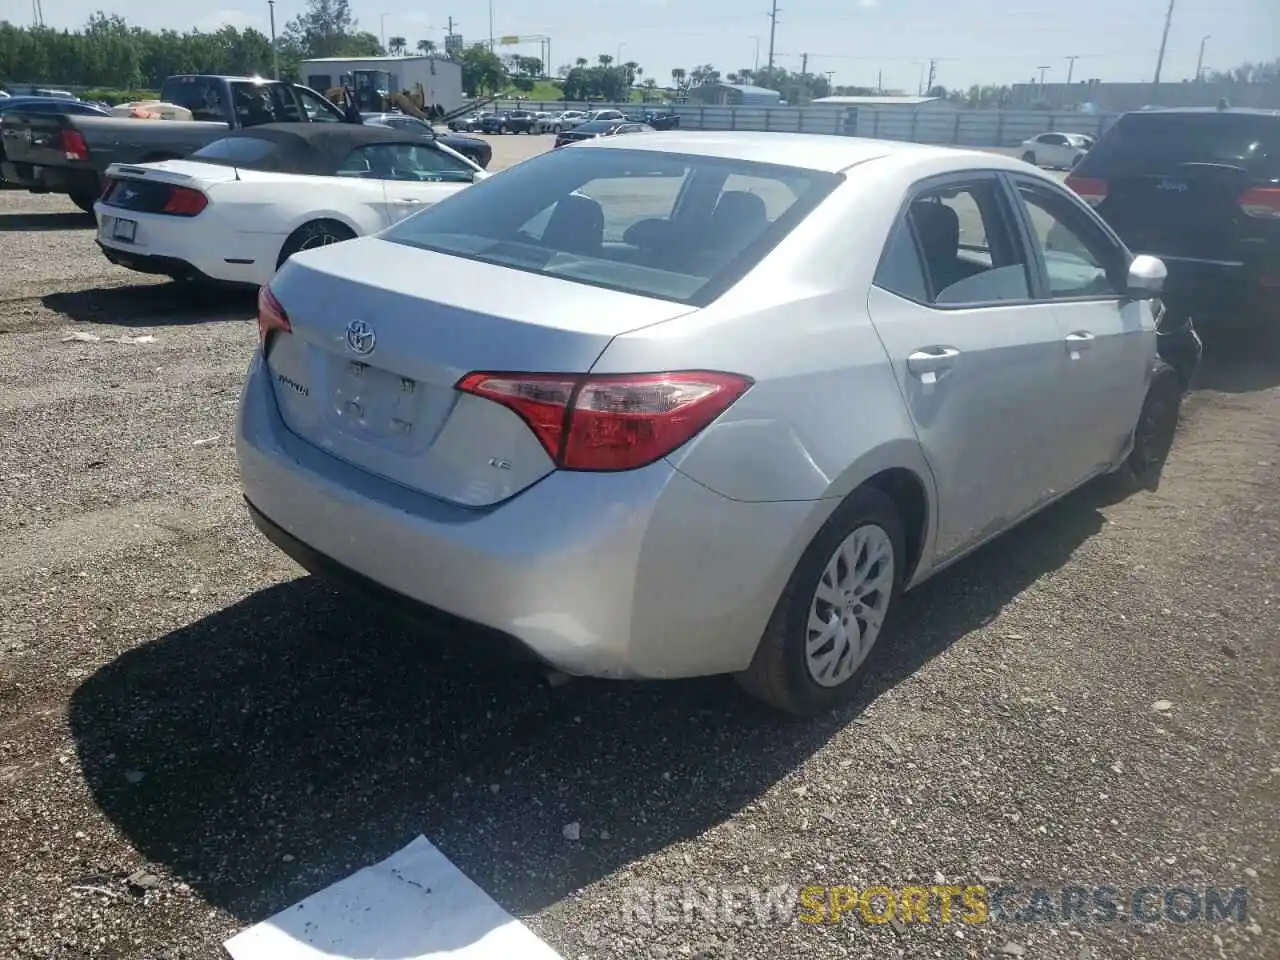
(611, 422)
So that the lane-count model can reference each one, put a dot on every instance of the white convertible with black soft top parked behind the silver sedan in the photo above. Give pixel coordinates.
(239, 208)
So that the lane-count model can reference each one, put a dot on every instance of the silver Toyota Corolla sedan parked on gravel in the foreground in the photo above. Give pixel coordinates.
(693, 404)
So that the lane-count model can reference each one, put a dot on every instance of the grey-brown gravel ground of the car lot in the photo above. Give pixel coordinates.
(194, 735)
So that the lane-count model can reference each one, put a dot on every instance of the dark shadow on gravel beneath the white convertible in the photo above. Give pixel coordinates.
(154, 304)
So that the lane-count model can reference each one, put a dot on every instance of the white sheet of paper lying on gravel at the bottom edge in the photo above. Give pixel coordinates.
(414, 906)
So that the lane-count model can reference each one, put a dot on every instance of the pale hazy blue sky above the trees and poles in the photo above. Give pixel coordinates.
(976, 42)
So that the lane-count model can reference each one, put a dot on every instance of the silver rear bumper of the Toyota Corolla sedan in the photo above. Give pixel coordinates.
(636, 575)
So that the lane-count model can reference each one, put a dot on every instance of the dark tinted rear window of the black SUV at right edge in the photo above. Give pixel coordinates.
(1163, 144)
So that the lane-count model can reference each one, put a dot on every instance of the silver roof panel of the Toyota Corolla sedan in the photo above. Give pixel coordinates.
(811, 152)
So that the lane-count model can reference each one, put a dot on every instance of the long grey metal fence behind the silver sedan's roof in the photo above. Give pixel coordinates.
(973, 129)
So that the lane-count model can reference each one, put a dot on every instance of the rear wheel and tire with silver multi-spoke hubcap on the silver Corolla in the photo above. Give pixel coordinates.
(783, 673)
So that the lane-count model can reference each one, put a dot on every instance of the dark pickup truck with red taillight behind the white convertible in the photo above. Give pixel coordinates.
(70, 154)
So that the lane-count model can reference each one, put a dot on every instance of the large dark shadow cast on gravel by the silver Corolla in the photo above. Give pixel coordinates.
(277, 746)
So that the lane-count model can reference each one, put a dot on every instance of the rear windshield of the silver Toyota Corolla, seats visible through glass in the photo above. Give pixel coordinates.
(674, 227)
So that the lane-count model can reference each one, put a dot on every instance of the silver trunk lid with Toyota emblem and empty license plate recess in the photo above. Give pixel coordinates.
(380, 336)
